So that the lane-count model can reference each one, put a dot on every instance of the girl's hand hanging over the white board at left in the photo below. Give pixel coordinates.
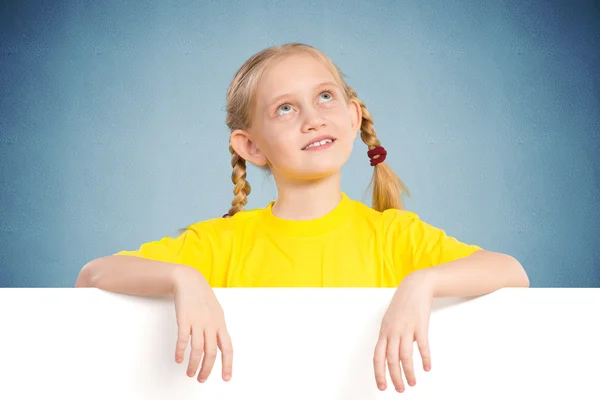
(200, 315)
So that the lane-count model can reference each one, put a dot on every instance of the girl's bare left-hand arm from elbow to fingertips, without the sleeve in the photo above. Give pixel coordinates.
(199, 316)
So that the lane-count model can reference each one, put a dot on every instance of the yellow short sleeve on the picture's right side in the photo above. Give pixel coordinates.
(415, 244)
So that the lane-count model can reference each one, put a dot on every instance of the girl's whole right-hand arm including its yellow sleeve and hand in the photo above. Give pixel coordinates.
(432, 264)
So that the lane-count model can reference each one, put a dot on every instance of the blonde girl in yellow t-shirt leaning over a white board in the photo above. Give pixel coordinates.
(290, 110)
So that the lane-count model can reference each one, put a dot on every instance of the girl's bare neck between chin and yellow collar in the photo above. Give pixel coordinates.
(308, 200)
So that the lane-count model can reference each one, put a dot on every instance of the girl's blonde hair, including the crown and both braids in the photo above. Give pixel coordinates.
(387, 187)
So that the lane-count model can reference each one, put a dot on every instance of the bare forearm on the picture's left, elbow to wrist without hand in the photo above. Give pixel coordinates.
(133, 275)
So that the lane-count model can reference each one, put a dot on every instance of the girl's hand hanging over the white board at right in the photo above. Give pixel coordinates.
(406, 320)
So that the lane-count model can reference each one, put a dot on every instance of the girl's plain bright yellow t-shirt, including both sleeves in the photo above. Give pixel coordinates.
(352, 246)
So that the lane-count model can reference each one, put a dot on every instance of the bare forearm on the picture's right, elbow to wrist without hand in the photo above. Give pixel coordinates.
(480, 273)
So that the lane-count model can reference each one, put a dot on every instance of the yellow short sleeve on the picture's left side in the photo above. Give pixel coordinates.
(195, 247)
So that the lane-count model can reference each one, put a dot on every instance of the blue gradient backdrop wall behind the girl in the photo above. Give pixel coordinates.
(112, 125)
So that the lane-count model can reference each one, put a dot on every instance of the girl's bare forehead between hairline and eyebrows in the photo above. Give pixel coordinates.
(292, 73)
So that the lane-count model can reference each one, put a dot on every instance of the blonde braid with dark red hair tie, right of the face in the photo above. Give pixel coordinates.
(387, 186)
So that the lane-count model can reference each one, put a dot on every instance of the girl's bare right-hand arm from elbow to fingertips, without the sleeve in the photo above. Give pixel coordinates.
(407, 317)
